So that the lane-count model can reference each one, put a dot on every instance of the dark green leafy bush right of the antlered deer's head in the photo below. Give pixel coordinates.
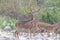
(49, 16)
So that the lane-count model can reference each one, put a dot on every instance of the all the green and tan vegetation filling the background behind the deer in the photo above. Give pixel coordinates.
(11, 10)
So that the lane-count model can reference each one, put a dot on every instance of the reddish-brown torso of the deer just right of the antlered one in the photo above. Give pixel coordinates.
(45, 26)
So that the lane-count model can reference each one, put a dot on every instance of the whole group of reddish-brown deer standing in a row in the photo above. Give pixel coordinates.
(34, 26)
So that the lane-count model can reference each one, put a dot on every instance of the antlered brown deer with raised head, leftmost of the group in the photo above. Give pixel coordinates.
(25, 26)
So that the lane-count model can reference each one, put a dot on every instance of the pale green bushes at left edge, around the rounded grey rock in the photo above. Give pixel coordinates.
(7, 21)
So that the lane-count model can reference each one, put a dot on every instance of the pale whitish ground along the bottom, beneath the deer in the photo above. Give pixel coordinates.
(25, 36)
